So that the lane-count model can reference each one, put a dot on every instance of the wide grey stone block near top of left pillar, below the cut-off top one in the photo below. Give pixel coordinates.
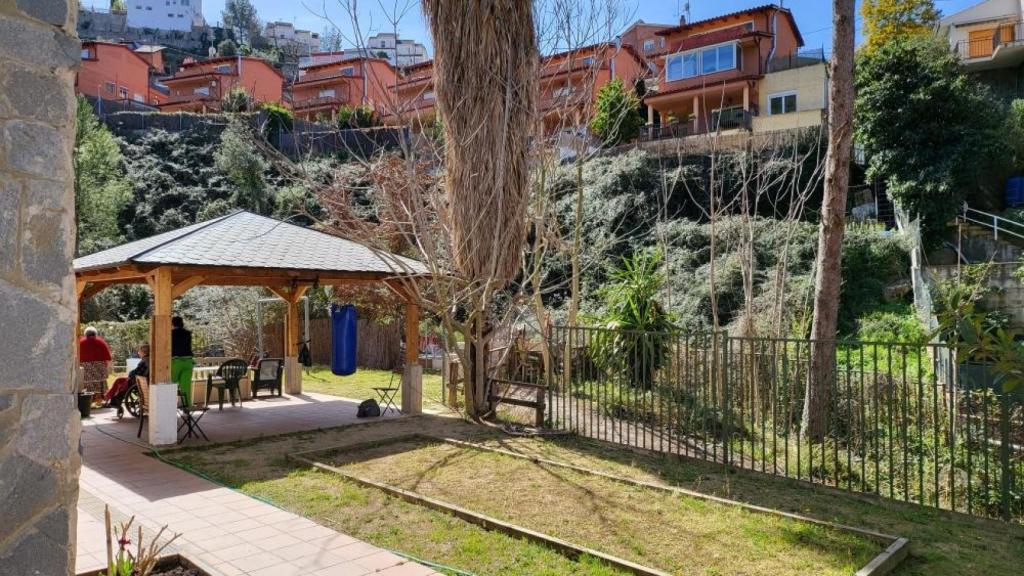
(37, 46)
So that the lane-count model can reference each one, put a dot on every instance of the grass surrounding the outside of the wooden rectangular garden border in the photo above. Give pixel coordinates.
(943, 544)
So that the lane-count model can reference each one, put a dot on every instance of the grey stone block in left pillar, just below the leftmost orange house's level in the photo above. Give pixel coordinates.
(37, 150)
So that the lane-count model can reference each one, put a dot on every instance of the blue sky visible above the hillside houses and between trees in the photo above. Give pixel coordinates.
(814, 17)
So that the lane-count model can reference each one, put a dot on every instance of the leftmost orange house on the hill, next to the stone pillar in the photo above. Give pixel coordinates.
(115, 72)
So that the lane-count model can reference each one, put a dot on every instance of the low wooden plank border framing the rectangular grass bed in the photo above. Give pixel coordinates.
(897, 550)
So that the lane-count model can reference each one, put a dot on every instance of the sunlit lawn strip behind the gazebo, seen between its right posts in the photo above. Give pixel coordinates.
(360, 386)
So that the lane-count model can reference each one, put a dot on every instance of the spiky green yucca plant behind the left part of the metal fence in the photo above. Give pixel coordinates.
(636, 331)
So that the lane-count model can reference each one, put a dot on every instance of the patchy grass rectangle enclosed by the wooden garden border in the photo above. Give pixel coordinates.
(673, 532)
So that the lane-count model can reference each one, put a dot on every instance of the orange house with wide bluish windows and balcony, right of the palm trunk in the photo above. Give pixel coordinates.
(711, 72)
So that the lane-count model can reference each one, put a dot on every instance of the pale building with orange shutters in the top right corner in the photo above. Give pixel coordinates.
(989, 35)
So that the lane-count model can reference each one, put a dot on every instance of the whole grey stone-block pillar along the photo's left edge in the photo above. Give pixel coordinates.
(39, 425)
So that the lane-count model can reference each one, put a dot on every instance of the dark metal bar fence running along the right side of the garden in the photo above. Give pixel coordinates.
(899, 424)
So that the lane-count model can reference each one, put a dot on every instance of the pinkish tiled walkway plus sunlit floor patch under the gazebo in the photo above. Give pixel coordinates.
(225, 532)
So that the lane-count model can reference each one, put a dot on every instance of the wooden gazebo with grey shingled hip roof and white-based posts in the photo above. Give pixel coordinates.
(247, 250)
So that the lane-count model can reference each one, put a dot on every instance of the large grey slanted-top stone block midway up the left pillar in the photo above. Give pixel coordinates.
(41, 355)
